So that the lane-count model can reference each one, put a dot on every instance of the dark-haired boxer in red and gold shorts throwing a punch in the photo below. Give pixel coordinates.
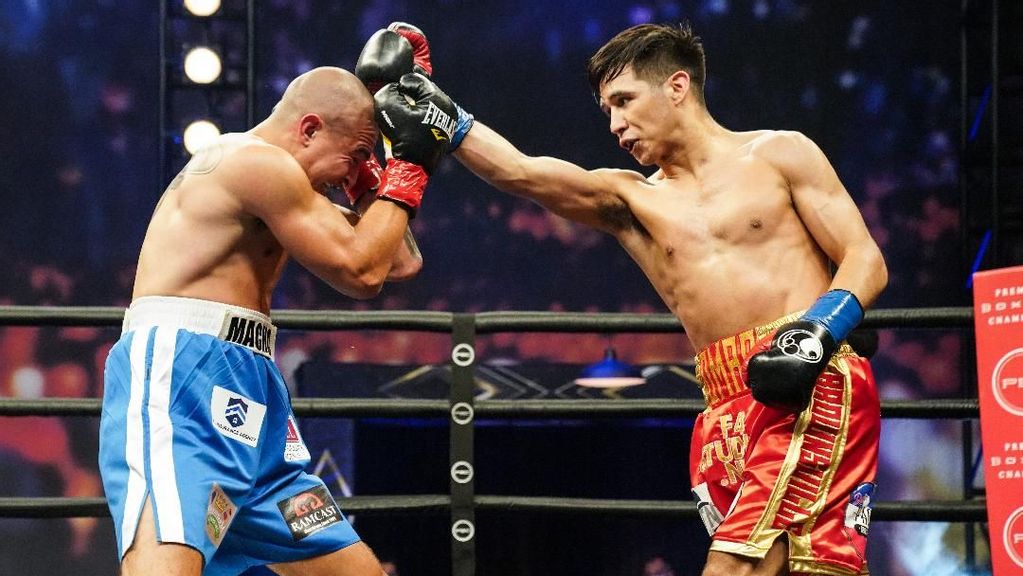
(734, 231)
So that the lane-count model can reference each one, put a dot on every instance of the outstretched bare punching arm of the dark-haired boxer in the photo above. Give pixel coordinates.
(561, 187)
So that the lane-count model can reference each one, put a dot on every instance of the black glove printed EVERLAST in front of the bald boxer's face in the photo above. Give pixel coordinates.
(418, 119)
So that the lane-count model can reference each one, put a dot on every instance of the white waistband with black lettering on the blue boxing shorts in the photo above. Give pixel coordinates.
(231, 324)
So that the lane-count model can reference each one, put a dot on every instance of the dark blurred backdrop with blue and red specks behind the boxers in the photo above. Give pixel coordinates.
(876, 84)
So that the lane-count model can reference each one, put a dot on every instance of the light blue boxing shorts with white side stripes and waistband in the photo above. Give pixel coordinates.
(198, 420)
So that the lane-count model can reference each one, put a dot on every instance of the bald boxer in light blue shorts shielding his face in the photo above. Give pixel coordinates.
(202, 461)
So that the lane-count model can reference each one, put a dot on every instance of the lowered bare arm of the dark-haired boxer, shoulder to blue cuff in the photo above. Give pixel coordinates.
(830, 215)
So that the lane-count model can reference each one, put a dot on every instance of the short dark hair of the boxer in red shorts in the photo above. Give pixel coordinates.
(655, 53)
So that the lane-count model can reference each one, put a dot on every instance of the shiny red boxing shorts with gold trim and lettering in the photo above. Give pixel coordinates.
(760, 473)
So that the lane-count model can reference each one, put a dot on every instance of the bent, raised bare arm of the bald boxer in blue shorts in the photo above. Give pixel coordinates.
(353, 259)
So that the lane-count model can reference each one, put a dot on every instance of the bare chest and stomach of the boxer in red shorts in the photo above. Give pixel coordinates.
(726, 248)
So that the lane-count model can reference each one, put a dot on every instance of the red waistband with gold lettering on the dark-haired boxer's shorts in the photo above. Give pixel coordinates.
(721, 367)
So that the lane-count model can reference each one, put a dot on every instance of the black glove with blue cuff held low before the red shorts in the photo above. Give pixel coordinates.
(784, 376)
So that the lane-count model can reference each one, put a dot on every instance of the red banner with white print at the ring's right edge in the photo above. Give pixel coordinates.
(998, 298)
